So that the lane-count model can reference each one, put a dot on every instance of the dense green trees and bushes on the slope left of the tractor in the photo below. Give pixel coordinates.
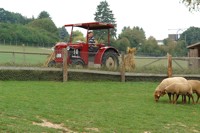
(15, 27)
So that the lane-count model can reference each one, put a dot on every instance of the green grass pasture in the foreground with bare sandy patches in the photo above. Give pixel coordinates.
(92, 107)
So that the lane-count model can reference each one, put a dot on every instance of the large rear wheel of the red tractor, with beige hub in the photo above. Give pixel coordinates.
(110, 60)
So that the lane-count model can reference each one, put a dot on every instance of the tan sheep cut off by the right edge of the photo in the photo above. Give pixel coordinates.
(195, 87)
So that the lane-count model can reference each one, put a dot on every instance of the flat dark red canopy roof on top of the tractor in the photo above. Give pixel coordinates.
(92, 25)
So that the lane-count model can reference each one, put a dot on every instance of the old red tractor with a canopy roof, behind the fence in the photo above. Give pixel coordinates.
(82, 54)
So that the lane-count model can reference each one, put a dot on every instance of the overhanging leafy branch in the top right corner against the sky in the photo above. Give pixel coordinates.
(191, 4)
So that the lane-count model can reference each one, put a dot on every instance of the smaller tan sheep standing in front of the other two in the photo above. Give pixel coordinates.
(179, 88)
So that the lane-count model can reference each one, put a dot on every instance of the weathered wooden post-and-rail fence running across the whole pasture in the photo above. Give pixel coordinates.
(122, 73)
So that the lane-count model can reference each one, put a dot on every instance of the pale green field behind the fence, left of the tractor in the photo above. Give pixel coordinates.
(23, 59)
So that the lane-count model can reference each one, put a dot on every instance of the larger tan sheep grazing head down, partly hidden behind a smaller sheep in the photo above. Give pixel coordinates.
(159, 91)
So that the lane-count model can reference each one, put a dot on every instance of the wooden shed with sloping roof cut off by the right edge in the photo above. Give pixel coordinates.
(194, 53)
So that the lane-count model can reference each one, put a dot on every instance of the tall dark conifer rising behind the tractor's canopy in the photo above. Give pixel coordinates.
(104, 14)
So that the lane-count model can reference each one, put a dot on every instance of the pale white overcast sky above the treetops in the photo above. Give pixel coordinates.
(158, 18)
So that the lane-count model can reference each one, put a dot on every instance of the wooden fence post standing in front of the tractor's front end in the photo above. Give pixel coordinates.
(65, 72)
